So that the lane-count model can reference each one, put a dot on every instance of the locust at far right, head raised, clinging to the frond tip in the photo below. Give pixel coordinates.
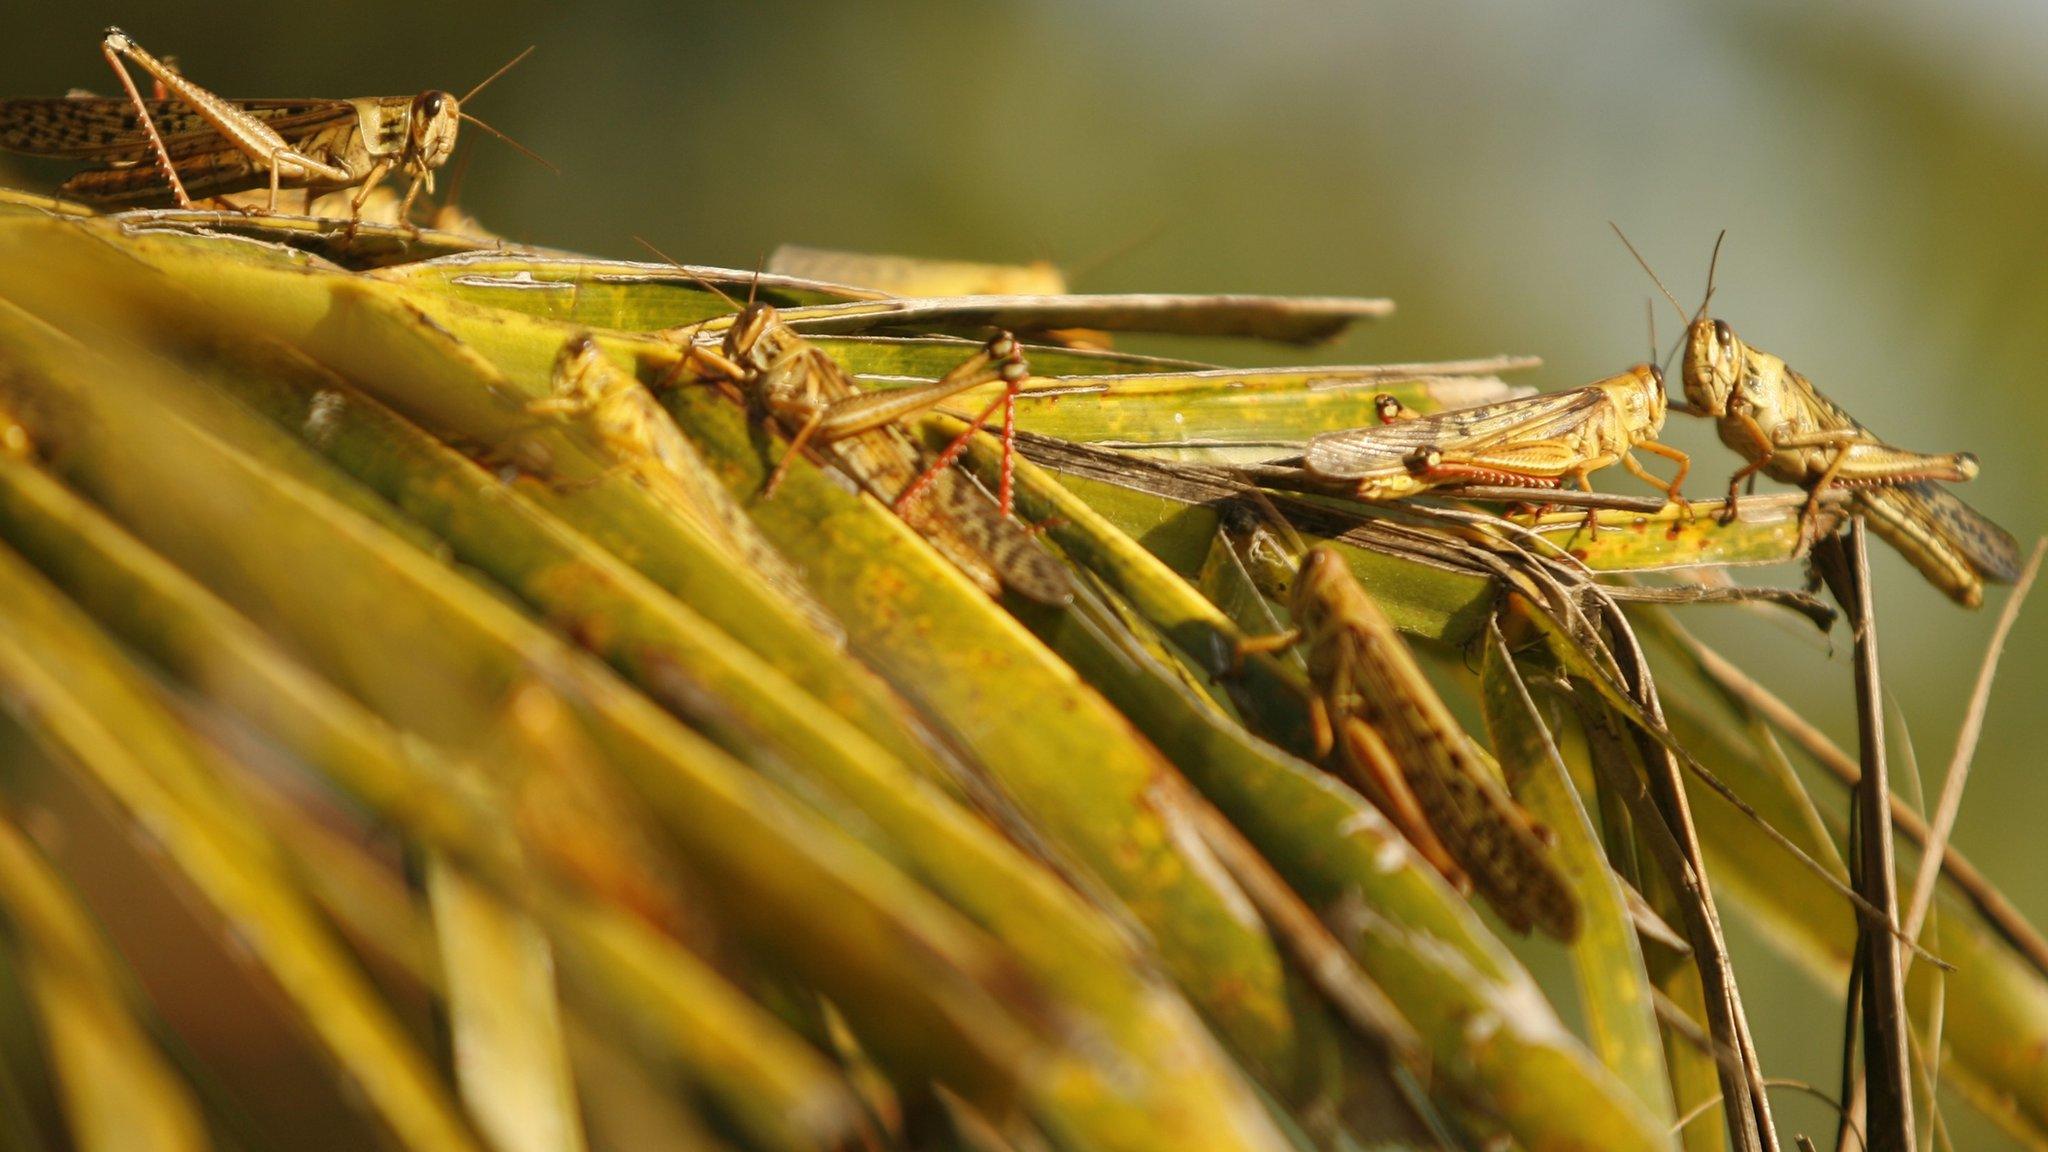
(1785, 427)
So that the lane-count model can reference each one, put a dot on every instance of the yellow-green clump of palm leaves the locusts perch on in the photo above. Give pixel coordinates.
(515, 805)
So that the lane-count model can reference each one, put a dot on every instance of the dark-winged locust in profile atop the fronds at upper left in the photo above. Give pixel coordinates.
(214, 147)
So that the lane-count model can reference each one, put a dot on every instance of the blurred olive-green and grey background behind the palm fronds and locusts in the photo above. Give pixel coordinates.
(1883, 181)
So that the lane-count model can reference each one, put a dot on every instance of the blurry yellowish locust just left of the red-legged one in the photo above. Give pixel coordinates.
(646, 444)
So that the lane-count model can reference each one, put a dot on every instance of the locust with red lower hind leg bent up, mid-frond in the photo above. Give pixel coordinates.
(818, 405)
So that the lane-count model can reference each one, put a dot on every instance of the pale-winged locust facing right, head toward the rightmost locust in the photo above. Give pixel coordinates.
(1539, 442)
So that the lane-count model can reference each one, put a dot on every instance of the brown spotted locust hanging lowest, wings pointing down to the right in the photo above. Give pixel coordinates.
(1377, 716)
